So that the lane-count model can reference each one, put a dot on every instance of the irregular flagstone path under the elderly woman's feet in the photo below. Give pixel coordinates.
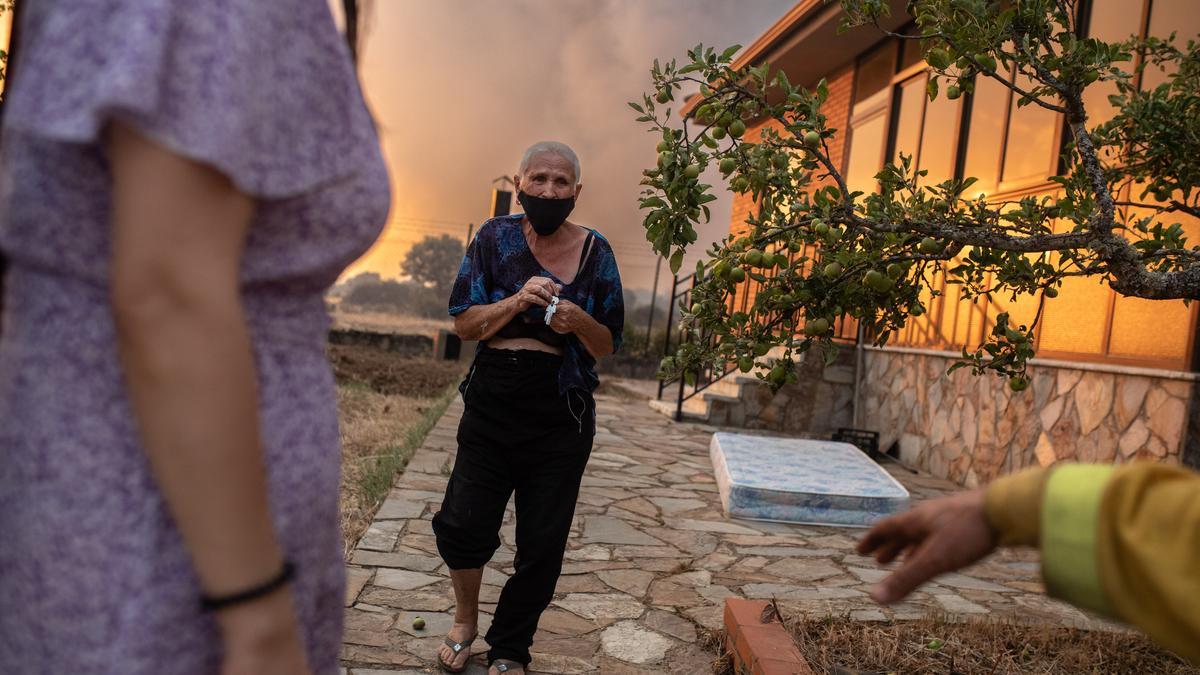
(651, 559)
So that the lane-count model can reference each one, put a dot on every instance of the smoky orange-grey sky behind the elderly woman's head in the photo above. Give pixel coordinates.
(461, 88)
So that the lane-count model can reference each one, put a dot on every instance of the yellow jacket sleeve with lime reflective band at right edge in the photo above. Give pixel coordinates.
(1124, 542)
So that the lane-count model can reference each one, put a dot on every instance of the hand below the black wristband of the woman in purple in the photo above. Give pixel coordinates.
(261, 638)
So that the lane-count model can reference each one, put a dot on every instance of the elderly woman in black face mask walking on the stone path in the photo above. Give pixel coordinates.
(543, 297)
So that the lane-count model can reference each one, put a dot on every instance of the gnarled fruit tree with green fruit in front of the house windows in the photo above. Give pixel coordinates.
(877, 253)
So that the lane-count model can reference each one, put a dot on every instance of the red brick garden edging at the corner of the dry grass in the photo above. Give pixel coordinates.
(760, 648)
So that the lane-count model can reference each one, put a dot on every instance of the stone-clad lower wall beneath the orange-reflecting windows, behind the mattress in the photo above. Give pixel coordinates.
(974, 429)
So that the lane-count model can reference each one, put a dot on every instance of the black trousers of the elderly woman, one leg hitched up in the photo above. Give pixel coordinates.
(518, 435)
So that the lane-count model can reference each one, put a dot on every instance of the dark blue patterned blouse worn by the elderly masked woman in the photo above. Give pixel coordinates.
(500, 262)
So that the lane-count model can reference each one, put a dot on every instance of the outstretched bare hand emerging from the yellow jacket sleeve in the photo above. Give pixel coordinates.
(937, 536)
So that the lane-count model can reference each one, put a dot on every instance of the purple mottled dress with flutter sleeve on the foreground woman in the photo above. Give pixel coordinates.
(94, 577)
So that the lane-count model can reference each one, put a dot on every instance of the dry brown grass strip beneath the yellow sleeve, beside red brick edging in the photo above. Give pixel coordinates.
(977, 648)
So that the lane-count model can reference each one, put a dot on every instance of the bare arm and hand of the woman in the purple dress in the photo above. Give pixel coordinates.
(179, 230)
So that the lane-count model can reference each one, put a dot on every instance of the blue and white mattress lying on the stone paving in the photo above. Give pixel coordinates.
(802, 481)
